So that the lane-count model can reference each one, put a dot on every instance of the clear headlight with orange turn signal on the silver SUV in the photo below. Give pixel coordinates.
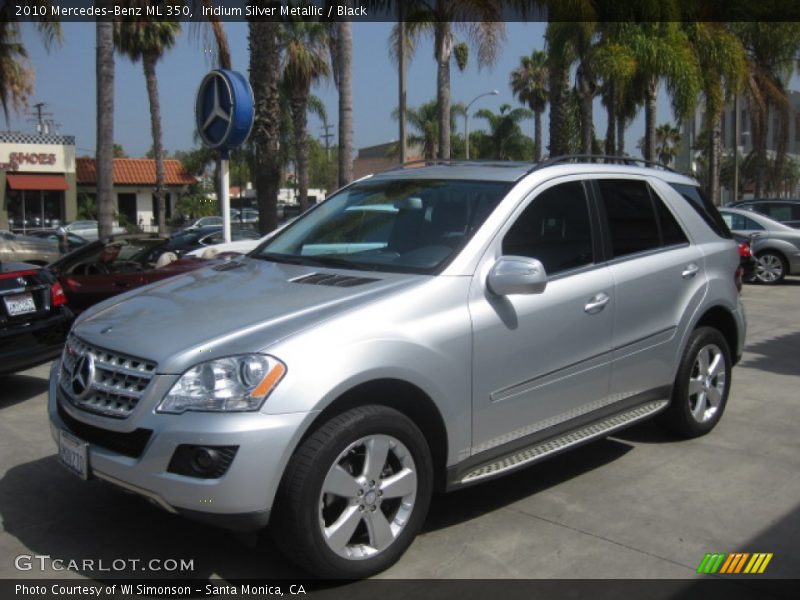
(235, 383)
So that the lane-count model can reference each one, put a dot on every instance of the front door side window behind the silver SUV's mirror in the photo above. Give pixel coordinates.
(554, 228)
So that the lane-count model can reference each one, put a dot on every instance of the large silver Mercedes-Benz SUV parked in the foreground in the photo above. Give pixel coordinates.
(423, 329)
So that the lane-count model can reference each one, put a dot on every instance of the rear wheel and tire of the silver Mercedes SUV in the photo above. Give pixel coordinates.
(702, 385)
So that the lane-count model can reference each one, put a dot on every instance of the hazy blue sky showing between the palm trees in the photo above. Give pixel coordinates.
(65, 81)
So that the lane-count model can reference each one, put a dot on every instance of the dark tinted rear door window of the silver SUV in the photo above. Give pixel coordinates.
(632, 220)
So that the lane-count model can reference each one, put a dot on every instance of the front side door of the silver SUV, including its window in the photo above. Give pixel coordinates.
(542, 360)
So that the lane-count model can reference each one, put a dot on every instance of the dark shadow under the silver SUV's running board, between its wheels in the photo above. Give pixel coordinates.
(473, 502)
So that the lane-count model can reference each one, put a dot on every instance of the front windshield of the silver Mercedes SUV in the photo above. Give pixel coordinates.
(414, 226)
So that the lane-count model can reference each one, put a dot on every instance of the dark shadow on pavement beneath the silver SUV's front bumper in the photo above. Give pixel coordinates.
(51, 512)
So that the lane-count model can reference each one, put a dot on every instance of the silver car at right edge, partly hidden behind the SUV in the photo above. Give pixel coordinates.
(776, 246)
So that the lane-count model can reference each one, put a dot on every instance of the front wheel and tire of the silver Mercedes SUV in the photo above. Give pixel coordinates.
(355, 494)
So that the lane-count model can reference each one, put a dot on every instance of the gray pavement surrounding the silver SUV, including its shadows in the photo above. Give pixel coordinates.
(639, 505)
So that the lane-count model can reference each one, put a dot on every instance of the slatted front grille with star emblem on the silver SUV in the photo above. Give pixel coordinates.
(116, 384)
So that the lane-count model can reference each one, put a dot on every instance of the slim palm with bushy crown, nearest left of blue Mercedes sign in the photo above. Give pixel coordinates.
(147, 41)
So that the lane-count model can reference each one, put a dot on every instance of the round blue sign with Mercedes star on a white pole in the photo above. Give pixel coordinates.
(224, 109)
